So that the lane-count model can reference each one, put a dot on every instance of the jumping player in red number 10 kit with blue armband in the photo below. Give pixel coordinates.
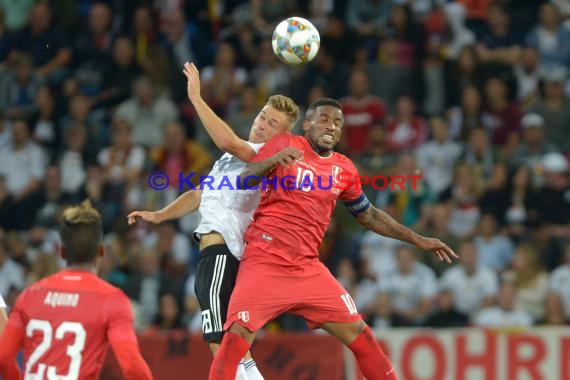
(280, 270)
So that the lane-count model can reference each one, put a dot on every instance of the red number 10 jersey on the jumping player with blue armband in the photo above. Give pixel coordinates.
(293, 221)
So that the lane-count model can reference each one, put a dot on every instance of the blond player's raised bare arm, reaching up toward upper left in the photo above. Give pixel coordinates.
(224, 137)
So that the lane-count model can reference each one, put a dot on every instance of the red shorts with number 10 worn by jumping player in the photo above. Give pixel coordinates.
(264, 291)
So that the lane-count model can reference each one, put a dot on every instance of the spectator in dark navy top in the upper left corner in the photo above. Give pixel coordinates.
(40, 33)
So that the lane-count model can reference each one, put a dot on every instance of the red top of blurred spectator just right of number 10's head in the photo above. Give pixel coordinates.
(358, 117)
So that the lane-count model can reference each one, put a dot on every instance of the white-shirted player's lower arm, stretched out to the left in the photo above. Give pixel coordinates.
(185, 204)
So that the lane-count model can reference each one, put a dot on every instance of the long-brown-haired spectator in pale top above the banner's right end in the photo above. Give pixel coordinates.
(530, 281)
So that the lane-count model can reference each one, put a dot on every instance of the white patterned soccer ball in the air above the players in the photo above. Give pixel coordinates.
(296, 40)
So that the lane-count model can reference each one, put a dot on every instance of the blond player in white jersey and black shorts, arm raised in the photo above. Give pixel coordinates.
(226, 211)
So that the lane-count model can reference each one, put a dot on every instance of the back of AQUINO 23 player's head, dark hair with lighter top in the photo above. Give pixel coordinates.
(81, 233)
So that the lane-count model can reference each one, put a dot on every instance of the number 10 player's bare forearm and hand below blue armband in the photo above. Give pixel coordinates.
(378, 221)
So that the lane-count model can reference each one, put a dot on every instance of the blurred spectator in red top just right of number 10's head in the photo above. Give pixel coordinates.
(360, 109)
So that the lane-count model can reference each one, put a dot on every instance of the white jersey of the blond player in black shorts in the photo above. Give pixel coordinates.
(224, 208)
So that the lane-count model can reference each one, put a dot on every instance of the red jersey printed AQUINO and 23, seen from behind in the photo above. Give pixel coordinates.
(65, 323)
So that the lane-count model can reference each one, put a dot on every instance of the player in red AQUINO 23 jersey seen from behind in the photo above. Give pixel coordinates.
(65, 322)
